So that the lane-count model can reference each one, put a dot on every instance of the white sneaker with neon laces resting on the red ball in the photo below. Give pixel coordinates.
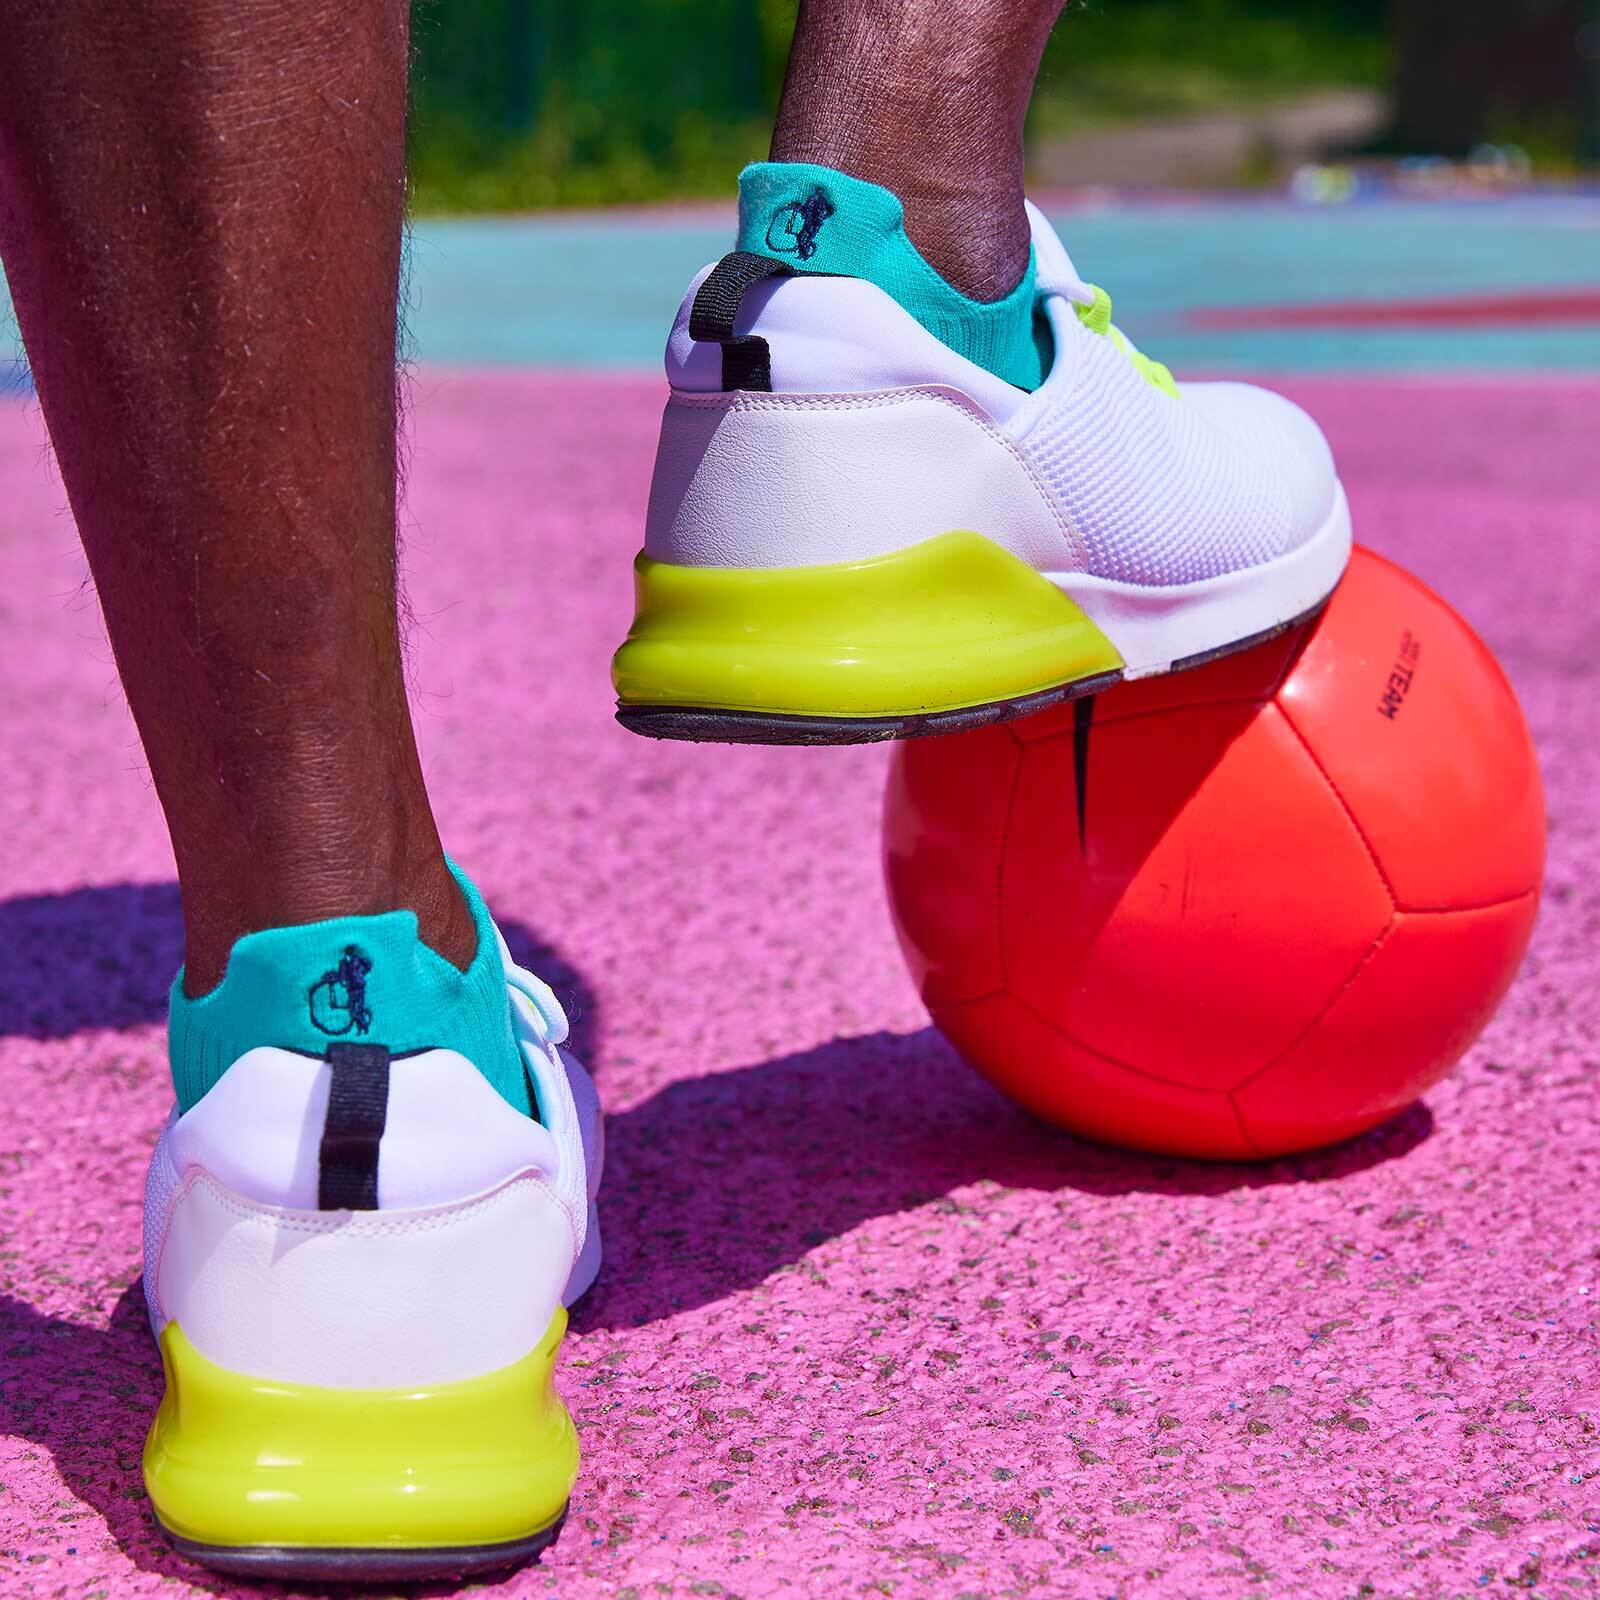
(857, 534)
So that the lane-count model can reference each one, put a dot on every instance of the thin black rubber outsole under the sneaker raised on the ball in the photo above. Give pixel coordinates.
(708, 726)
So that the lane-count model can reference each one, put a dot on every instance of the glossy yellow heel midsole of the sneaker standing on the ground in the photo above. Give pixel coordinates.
(247, 1462)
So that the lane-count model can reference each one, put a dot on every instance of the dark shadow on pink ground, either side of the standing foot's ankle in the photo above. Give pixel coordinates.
(106, 956)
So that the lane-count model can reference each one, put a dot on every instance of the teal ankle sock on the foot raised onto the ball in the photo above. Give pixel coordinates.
(818, 220)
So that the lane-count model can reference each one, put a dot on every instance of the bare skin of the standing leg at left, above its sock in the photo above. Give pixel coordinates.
(201, 218)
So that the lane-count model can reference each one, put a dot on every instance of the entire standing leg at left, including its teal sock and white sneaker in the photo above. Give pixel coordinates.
(202, 225)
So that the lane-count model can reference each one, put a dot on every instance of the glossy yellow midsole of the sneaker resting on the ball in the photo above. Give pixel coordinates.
(950, 623)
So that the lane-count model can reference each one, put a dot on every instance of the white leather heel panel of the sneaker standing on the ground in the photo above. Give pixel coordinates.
(366, 1300)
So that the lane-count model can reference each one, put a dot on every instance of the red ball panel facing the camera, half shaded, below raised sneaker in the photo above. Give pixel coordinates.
(1215, 903)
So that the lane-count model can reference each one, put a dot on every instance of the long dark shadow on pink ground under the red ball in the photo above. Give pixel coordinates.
(716, 1183)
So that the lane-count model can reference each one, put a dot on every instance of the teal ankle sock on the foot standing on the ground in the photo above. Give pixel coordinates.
(361, 980)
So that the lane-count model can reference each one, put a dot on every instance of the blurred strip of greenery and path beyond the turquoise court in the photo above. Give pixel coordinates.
(538, 103)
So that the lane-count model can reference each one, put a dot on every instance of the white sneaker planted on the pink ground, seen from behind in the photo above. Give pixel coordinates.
(358, 1270)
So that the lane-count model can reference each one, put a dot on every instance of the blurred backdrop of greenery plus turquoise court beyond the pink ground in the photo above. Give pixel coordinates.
(1374, 186)
